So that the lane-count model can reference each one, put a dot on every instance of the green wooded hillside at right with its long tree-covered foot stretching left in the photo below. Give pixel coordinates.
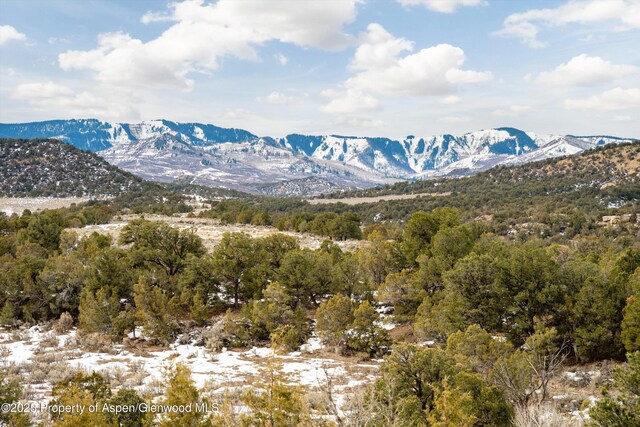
(551, 196)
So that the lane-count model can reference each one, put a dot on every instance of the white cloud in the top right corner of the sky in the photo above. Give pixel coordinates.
(527, 25)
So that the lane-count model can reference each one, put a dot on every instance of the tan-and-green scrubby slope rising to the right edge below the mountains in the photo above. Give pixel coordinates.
(592, 182)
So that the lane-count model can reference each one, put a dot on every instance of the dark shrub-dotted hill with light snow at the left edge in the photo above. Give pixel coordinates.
(46, 167)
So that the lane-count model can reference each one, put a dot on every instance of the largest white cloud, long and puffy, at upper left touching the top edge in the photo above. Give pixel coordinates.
(202, 34)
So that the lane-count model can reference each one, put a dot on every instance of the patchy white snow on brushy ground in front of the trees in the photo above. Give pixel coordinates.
(23, 351)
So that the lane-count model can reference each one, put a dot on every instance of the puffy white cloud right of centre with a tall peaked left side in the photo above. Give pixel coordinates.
(381, 67)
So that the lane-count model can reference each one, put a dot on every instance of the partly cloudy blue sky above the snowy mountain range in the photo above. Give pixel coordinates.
(351, 67)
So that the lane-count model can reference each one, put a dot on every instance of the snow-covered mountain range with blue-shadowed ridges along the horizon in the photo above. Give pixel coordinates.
(297, 164)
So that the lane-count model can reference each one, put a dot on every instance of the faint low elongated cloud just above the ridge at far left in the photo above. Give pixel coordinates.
(52, 96)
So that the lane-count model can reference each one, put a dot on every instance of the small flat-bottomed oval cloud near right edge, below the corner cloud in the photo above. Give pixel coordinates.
(585, 70)
